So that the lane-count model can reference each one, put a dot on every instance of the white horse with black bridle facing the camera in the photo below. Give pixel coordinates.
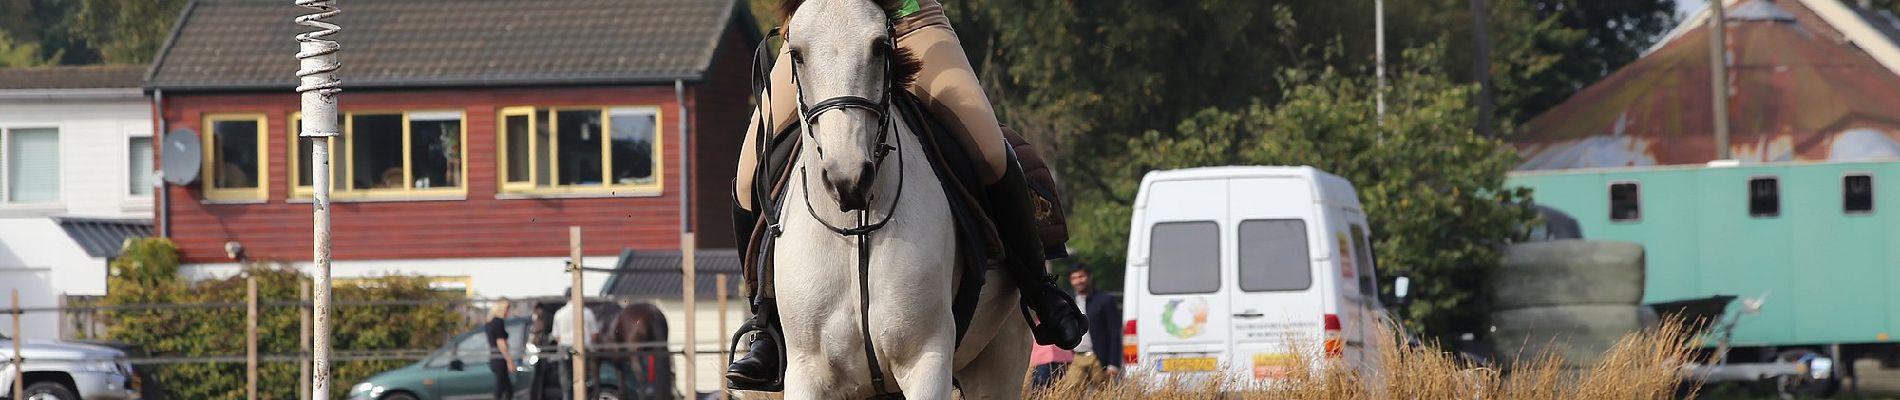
(843, 65)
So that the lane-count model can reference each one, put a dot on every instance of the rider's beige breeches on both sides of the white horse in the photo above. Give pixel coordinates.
(947, 86)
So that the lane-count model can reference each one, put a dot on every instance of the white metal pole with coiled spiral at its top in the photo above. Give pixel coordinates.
(318, 90)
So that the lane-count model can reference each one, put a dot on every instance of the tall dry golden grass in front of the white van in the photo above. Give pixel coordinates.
(1641, 367)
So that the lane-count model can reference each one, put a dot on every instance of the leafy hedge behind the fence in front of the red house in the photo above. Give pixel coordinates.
(147, 274)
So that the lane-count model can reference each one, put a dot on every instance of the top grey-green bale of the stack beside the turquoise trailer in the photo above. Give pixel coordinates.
(1568, 274)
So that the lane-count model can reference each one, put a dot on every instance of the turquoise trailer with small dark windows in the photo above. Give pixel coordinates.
(1819, 242)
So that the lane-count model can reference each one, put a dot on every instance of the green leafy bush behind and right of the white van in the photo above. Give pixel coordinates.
(1432, 187)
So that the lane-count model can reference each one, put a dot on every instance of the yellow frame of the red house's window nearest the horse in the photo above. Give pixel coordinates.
(554, 141)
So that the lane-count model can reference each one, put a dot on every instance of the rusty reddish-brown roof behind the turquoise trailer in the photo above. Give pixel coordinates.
(1796, 94)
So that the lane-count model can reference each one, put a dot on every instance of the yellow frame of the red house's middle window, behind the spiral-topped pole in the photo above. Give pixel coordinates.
(343, 156)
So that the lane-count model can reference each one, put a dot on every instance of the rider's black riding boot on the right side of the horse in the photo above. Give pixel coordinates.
(1057, 319)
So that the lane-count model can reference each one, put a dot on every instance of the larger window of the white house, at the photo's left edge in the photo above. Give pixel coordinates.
(31, 162)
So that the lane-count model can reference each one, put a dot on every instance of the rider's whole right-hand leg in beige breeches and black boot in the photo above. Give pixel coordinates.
(951, 90)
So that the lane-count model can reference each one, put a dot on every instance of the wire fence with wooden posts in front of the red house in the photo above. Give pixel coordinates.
(90, 321)
